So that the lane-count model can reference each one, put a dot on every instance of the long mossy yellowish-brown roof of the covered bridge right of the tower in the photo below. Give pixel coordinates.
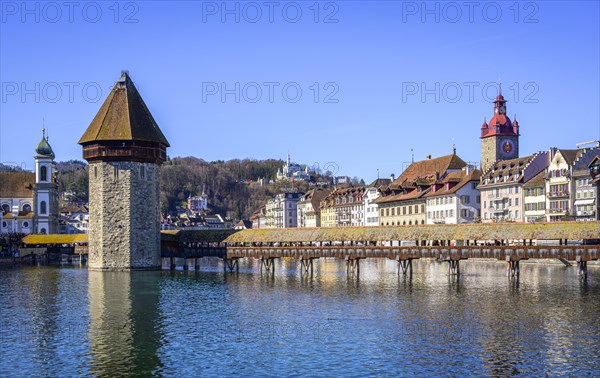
(486, 231)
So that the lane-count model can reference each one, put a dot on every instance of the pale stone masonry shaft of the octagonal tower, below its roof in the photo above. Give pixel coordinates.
(124, 229)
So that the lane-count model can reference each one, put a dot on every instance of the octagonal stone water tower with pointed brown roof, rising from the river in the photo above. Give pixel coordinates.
(124, 147)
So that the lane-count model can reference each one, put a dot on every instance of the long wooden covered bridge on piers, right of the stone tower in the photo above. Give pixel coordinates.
(511, 242)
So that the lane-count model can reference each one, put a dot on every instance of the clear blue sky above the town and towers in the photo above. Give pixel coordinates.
(222, 79)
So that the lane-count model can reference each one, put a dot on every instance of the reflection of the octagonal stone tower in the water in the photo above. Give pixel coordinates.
(124, 332)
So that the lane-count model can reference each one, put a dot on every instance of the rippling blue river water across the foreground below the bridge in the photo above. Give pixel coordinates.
(65, 321)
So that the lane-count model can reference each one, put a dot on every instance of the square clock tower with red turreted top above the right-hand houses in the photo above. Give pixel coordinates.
(499, 138)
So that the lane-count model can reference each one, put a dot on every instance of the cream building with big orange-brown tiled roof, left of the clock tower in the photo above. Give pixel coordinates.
(403, 201)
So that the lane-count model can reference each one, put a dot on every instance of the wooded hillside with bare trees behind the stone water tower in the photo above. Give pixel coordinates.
(233, 187)
